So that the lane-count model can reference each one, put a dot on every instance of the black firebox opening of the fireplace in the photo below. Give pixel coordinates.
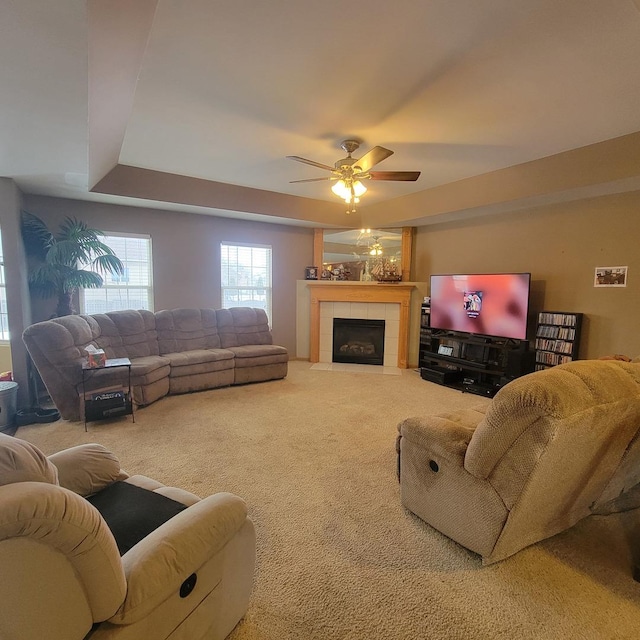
(358, 341)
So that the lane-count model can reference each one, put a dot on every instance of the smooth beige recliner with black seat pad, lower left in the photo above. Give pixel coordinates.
(62, 573)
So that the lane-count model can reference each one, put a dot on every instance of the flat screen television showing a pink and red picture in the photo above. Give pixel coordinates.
(490, 304)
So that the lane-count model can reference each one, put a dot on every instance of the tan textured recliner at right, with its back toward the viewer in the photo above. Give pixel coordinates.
(551, 448)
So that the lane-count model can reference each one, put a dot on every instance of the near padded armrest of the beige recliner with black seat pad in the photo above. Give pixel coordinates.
(156, 567)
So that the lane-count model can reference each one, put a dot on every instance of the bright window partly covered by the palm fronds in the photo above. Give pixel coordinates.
(131, 290)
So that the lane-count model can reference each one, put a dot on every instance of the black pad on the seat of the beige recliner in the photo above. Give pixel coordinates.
(132, 512)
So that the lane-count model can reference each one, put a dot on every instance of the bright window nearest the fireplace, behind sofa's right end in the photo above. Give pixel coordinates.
(246, 276)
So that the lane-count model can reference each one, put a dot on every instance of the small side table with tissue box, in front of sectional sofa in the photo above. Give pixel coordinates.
(107, 403)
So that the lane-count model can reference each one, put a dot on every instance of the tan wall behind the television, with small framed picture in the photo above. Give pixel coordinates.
(561, 245)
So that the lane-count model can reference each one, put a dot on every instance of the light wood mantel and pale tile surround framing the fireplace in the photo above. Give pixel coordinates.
(320, 301)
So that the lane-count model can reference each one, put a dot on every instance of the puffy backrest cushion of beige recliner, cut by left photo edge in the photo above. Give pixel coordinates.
(20, 461)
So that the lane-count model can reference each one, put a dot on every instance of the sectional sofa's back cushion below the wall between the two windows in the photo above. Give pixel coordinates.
(186, 330)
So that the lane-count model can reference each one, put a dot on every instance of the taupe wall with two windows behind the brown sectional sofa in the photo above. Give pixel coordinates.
(186, 253)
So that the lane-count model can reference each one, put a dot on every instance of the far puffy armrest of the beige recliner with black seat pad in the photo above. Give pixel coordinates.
(87, 468)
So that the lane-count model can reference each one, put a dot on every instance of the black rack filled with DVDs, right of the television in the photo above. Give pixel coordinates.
(557, 338)
